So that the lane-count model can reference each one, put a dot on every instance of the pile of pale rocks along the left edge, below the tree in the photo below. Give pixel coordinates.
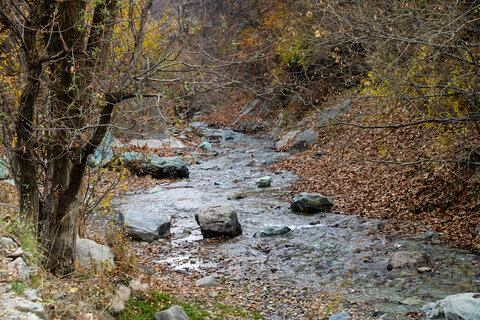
(14, 305)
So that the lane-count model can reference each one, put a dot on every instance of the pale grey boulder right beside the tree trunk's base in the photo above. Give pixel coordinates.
(88, 251)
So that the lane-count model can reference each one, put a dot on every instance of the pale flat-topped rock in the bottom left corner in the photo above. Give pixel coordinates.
(14, 307)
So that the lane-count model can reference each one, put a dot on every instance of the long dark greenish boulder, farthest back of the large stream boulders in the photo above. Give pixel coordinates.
(157, 167)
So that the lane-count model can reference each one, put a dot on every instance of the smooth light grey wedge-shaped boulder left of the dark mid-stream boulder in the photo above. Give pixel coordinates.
(145, 227)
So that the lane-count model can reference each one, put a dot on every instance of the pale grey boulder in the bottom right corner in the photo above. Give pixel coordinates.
(464, 306)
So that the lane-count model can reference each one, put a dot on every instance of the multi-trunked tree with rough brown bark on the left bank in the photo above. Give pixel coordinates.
(67, 73)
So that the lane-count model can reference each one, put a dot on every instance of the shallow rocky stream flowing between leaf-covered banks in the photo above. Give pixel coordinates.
(323, 253)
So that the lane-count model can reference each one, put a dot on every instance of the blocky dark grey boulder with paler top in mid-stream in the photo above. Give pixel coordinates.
(216, 220)
